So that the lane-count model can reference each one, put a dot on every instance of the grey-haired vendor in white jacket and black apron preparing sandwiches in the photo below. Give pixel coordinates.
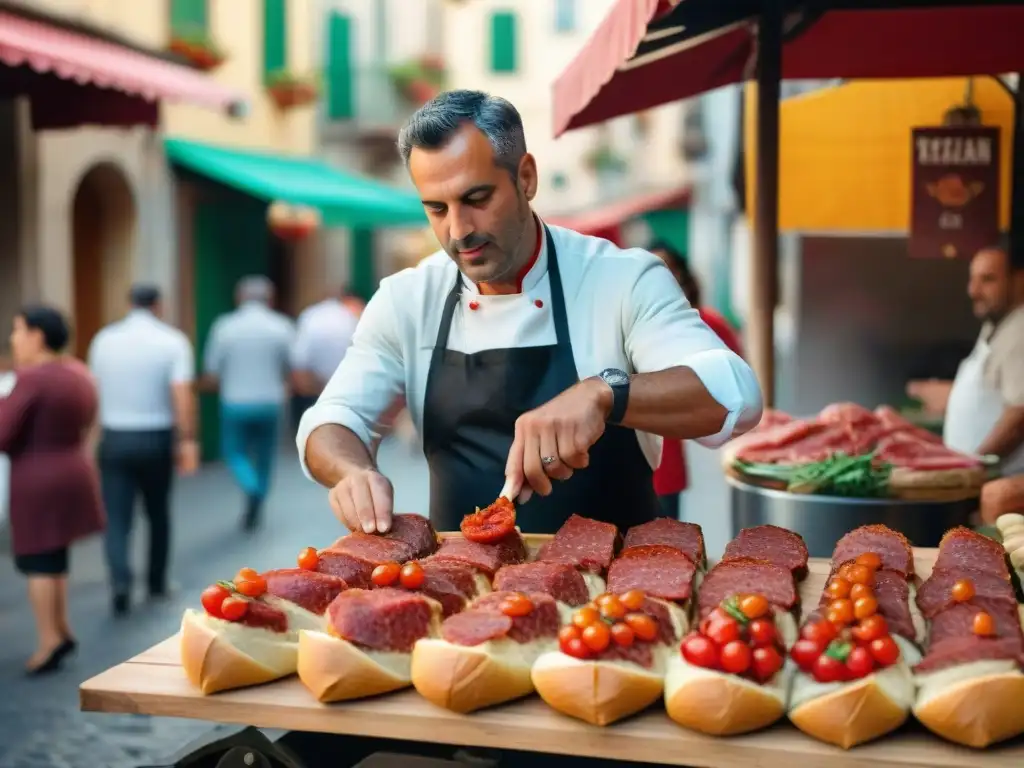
(527, 353)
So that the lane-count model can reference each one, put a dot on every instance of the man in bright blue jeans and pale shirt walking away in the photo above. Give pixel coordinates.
(247, 358)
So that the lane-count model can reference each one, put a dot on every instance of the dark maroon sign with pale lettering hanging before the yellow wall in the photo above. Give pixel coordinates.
(955, 200)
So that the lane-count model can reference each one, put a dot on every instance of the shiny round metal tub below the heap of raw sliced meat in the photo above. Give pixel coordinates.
(823, 521)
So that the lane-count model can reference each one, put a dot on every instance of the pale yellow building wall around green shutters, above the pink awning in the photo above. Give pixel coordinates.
(237, 26)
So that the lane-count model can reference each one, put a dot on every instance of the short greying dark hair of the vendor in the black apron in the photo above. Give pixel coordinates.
(434, 125)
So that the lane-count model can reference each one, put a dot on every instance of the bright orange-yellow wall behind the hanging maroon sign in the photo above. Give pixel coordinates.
(845, 152)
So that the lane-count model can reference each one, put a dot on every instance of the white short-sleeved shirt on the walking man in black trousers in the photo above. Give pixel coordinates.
(136, 362)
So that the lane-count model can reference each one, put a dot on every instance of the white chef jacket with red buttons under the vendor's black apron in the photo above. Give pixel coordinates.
(625, 311)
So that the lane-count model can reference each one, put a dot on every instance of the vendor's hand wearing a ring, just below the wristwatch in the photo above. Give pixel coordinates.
(563, 430)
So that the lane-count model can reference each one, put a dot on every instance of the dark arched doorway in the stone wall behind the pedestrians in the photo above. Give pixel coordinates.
(104, 223)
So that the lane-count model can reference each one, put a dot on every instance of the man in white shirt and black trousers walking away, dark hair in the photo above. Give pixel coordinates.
(145, 371)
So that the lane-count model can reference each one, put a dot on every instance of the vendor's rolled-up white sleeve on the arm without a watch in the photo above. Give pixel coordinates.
(371, 375)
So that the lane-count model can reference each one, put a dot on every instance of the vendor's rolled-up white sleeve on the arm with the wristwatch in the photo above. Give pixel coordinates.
(663, 331)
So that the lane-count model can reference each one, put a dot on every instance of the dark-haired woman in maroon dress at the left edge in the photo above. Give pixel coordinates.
(55, 491)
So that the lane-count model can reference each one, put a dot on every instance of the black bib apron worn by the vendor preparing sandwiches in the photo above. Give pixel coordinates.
(470, 413)
